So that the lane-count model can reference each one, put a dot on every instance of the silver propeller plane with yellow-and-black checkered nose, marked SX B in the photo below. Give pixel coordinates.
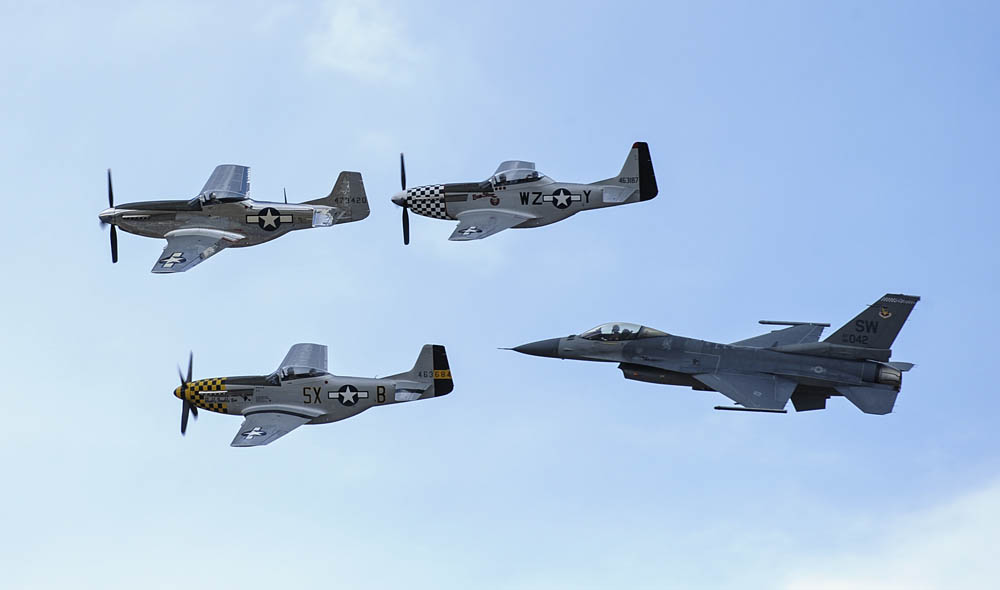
(302, 391)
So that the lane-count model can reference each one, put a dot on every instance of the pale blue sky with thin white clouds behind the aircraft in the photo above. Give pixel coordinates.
(810, 158)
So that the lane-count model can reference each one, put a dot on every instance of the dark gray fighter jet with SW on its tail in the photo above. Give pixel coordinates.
(763, 372)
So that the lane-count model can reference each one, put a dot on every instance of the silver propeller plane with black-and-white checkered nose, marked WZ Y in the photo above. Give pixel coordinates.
(519, 196)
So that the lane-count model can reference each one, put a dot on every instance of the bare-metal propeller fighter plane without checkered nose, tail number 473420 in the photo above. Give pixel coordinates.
(222, 215)
